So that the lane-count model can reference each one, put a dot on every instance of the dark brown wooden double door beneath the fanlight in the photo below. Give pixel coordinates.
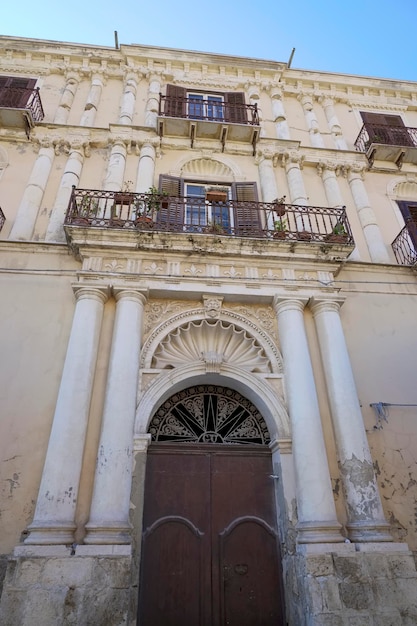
(210, 554)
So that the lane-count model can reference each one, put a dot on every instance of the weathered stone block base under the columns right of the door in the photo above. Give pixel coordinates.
(357, 585)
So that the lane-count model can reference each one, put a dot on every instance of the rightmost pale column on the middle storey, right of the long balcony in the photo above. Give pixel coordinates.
(377, 249)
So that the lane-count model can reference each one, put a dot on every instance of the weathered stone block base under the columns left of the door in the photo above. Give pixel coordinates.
(79, 589)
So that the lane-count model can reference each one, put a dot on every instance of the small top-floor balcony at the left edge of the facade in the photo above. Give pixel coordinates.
(20, 107)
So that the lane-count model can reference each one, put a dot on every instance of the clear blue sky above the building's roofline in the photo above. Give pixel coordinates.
(366, 37)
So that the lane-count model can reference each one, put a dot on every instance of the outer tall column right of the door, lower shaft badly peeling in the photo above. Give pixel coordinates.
(366, 521)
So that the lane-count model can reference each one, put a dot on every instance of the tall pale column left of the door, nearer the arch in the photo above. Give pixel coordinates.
(109, 515)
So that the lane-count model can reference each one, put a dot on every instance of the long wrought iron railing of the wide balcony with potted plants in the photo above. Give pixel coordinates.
(230, 218)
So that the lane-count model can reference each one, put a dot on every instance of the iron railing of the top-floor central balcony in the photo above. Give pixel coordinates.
(208, 110)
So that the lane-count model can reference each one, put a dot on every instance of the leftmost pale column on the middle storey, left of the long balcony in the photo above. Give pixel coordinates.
(27, 212)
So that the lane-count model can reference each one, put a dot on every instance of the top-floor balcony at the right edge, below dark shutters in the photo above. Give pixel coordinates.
(396, 144)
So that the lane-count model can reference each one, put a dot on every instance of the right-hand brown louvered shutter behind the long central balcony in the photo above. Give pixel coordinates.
(246, 212)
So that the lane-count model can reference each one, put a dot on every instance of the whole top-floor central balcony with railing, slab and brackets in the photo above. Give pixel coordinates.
(223, 121)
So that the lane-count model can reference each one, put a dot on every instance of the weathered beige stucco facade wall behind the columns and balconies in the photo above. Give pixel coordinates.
(37, 301)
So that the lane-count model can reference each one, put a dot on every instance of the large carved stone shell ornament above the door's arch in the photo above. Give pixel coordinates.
(213, 340)
